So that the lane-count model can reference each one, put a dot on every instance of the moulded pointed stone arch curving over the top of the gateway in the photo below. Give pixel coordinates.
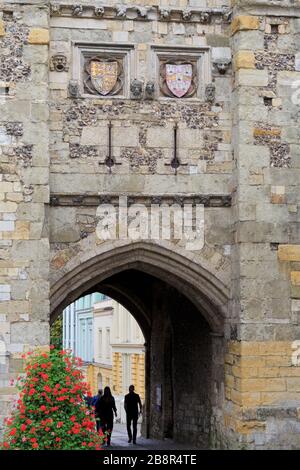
(181, 270)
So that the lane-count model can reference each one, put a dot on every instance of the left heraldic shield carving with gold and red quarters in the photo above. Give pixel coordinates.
(104, 76)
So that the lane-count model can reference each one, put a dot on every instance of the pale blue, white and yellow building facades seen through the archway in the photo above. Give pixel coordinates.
(108, 339)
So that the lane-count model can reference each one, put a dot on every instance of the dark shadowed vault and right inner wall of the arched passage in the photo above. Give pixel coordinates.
(184, 377)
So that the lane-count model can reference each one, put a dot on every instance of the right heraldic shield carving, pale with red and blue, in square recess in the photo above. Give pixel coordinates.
(178, 79)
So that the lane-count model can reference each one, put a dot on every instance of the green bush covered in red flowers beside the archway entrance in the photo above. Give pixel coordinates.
(51, 411)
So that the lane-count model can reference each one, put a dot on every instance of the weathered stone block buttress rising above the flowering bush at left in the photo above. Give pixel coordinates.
(24, 189)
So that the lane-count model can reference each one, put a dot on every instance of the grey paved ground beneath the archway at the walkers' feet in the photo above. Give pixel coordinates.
(119, 441)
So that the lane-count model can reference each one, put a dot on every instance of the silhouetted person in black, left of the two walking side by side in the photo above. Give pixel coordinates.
(105, 409)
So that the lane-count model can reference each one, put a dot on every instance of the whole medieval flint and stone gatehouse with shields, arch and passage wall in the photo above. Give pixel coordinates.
(93, 96)
